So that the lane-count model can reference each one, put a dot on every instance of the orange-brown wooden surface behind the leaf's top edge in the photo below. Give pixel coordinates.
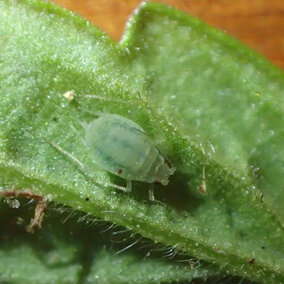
(257, 23)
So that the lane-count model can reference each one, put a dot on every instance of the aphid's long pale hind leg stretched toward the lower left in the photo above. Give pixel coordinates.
(85, 169)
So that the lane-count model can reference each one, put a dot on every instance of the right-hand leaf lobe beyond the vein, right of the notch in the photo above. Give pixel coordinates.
(221, 94)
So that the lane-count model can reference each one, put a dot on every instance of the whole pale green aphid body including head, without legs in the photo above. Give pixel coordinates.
(120, 146)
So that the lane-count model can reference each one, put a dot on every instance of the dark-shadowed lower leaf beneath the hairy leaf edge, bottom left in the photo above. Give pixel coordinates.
(79, 253)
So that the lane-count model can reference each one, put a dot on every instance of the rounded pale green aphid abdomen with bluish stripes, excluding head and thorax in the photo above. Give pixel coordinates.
(117, 145)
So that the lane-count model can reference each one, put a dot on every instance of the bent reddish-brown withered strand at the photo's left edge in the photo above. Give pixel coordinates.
(41, 204)
